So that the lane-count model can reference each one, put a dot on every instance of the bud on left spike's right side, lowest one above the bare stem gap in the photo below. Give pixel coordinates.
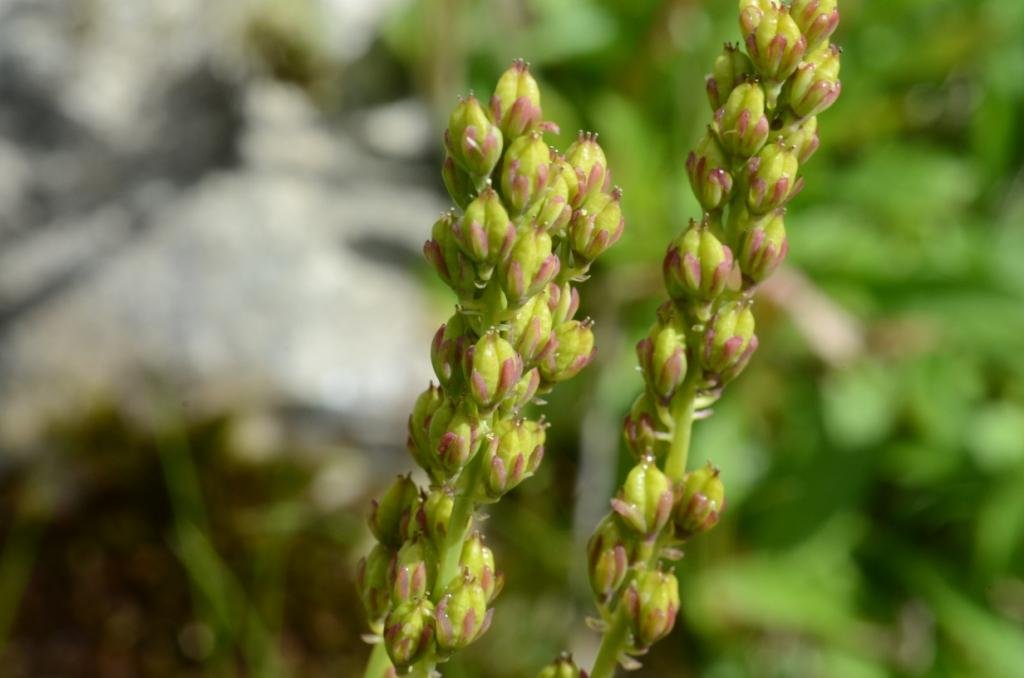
(517, 451)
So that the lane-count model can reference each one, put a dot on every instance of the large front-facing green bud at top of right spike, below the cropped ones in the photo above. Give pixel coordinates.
(774, 39)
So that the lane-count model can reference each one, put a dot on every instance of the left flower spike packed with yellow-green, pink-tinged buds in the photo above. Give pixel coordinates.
(530, 223)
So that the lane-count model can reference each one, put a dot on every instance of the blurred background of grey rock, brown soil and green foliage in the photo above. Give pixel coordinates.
(215, 318)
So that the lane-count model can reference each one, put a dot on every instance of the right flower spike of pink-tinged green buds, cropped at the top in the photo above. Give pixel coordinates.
(765, 96)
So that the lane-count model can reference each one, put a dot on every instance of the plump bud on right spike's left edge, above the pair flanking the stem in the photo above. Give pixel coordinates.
(697, 266)
